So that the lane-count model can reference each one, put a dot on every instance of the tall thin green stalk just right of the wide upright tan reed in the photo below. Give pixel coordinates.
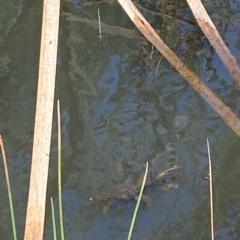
(59, 171)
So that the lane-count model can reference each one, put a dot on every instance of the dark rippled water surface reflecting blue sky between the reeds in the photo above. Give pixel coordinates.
(119, 110)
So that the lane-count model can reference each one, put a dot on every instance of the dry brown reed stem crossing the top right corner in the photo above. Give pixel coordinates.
(215, 39)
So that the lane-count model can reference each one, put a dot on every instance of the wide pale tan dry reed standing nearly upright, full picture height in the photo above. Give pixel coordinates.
(43, 122)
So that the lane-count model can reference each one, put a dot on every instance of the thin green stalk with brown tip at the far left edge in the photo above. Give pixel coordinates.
(9, 188)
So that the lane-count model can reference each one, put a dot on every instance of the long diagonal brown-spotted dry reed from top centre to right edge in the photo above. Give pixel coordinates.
(228, 116)
